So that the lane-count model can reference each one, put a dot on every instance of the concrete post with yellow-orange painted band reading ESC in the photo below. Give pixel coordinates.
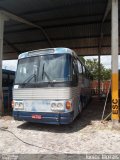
(114, 45)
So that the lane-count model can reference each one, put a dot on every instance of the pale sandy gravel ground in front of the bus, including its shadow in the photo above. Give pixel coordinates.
(85, 135)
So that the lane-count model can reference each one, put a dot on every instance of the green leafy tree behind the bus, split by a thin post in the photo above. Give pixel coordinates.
(92, 65)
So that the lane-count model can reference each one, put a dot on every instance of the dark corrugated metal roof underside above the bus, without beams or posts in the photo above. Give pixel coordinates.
(68, 23)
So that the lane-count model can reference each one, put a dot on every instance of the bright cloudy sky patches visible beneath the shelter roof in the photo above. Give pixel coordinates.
(105, 60)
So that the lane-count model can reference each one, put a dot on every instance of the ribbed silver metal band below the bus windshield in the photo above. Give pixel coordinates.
(46, 93)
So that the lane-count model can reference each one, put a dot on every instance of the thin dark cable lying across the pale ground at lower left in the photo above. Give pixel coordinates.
(6, 130)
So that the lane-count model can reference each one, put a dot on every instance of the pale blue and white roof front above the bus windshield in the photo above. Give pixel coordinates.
(46, 51)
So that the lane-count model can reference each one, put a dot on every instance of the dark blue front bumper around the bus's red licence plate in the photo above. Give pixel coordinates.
(49, 118)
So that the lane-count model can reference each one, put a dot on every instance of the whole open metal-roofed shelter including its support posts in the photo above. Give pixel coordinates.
(82, 25)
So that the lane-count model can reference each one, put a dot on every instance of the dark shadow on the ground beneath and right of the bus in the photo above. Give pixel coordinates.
(93, 112)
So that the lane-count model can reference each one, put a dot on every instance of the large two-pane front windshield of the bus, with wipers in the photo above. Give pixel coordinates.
(44, 68)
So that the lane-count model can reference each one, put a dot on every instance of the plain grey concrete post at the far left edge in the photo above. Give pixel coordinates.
(1, 57)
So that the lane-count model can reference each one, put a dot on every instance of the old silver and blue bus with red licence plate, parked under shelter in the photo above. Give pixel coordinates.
(51, 86)
